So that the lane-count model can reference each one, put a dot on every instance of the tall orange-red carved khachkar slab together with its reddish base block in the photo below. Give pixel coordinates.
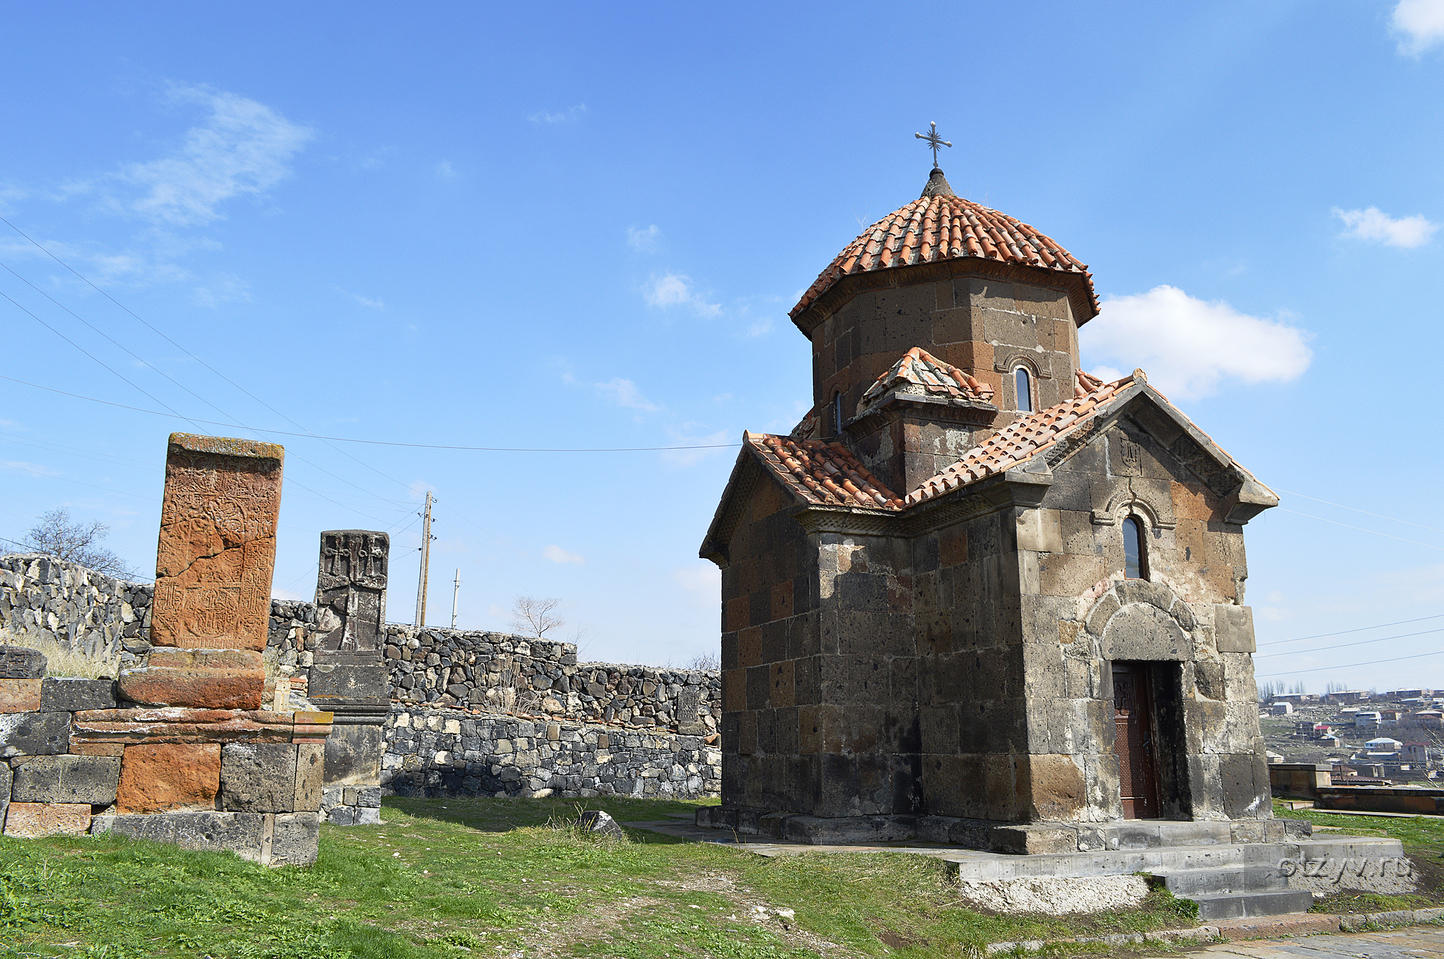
(213, 576)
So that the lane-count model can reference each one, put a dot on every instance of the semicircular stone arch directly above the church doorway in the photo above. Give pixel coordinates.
(1140, 620)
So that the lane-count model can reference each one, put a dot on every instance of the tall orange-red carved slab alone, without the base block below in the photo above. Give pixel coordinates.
(217, 544)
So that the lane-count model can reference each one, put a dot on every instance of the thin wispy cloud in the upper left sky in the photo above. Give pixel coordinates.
(243, 148)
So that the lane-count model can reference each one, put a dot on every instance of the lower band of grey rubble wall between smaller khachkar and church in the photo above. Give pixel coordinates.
(454, 753)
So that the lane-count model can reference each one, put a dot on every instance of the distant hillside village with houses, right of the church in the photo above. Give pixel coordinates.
(1394, 737)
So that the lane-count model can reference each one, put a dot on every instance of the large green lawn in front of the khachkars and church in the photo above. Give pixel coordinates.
(500, 879)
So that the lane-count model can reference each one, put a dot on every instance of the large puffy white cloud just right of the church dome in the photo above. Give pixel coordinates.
(1188, 346)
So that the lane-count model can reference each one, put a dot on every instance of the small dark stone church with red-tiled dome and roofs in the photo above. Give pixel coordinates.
(980, 596)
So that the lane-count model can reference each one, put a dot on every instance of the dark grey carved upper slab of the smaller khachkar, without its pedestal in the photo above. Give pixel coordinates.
(352, 586)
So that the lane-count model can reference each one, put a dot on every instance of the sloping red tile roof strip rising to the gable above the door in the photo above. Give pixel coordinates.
(1025, 438)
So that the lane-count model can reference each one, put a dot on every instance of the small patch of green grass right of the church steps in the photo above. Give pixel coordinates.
(1423, 841)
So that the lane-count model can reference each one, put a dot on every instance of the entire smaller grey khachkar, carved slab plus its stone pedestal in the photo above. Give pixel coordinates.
(349, 675)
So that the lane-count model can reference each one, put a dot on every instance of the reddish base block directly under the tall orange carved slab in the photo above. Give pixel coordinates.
(212, 680)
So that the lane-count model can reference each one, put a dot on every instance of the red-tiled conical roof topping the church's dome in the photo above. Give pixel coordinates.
(942, 226)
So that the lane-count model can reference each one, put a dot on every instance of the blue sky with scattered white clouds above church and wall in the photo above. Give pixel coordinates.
(583, 227)
